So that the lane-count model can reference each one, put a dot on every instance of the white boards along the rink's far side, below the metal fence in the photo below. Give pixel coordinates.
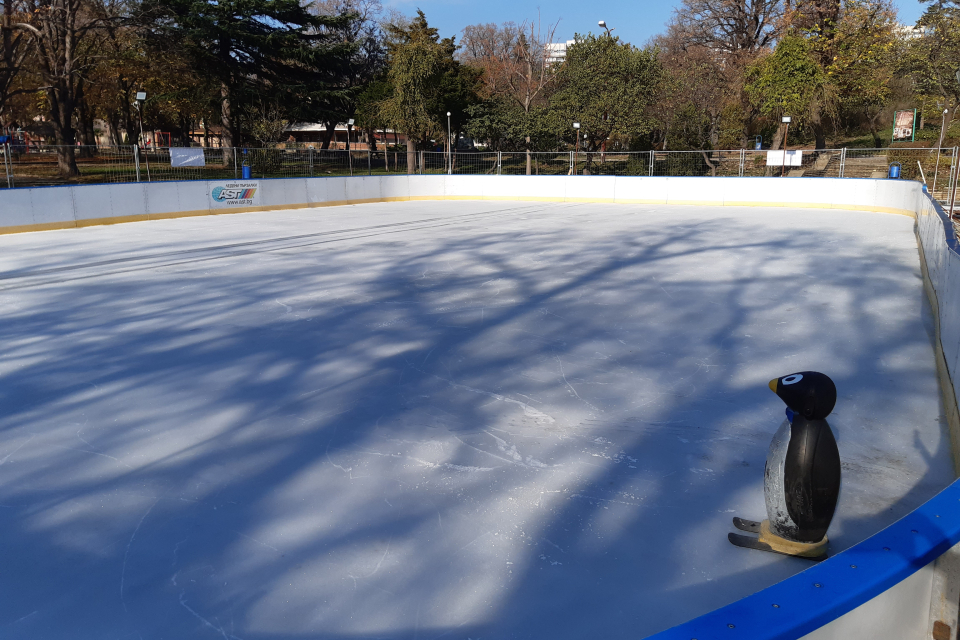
(49, 208)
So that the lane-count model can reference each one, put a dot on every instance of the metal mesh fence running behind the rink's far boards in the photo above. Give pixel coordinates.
(41, 165)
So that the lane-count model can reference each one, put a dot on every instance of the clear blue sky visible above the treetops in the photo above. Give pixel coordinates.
(634, 20)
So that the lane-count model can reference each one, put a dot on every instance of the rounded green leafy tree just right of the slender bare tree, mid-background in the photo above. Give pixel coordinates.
(608, 86)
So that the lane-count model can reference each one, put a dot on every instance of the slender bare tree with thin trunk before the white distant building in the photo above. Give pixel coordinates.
(515, 61)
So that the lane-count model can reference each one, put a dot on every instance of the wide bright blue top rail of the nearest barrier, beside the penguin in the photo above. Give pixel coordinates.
(839, 584)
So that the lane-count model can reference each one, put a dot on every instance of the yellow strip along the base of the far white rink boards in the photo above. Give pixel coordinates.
(92, 222)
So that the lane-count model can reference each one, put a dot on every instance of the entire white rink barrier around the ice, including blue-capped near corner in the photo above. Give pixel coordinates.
(897, 583)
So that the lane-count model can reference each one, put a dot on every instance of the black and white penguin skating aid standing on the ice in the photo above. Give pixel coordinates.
(801, 480)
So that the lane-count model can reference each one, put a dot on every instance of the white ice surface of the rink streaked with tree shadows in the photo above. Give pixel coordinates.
(416, 420)
